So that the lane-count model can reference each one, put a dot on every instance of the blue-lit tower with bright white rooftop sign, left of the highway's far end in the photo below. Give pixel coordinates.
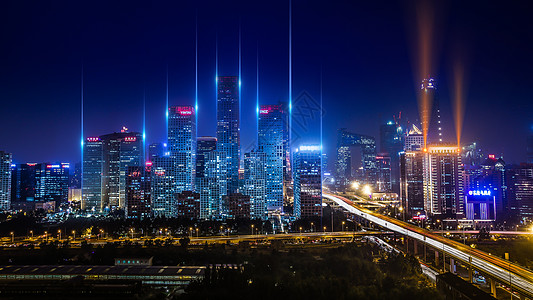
(307, 182)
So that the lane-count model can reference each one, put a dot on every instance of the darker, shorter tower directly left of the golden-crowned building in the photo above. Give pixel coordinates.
(412, 182)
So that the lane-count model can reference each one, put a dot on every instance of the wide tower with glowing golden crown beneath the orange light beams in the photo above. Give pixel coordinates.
(443, 182)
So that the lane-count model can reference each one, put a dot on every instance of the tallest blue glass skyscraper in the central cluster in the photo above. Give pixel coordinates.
(228, 126)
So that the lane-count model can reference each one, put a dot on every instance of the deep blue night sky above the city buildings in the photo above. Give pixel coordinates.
(365, 51)
